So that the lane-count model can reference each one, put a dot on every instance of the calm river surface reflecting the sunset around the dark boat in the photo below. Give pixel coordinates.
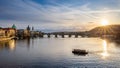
(57, 53)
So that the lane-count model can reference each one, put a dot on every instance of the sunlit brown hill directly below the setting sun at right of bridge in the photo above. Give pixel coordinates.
(105, 30)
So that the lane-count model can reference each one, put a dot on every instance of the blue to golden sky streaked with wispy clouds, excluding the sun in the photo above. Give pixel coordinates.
(58, 15)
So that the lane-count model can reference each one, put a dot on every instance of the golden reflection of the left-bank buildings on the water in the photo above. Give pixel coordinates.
(10, 44)
